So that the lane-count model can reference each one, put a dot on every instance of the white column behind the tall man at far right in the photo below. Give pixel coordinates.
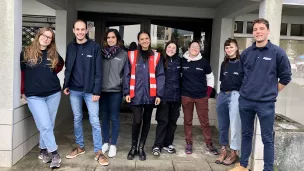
(272, 11)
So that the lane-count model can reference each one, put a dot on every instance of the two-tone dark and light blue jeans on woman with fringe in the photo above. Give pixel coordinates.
(227, 107)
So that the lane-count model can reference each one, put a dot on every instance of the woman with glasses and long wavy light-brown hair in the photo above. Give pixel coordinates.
(40, 86)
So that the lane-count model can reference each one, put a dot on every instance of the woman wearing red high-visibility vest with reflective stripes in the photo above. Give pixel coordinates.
(144, 81)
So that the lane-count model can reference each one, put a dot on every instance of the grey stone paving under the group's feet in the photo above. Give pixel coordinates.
(200, 160)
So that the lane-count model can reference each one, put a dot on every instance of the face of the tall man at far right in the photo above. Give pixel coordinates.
(260, 32)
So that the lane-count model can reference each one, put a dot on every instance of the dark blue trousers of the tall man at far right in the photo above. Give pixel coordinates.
(265, 112)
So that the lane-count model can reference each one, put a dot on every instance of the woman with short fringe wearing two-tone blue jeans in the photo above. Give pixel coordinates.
(227, 104)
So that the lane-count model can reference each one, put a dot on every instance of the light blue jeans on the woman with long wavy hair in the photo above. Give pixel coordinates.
(44, 111)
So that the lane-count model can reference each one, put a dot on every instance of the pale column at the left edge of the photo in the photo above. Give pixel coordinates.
(10, 48)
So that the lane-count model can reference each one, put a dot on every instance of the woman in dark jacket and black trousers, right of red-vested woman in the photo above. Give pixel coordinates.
(169, 109)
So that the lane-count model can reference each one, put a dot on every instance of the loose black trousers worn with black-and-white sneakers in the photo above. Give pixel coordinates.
(166, 116)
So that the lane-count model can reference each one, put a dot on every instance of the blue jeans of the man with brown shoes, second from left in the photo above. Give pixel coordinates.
(76, 98)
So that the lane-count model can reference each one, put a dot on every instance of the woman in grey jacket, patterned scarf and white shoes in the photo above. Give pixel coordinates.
(113, 63)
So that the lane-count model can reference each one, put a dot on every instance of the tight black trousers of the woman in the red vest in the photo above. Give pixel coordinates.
(141, 115)
